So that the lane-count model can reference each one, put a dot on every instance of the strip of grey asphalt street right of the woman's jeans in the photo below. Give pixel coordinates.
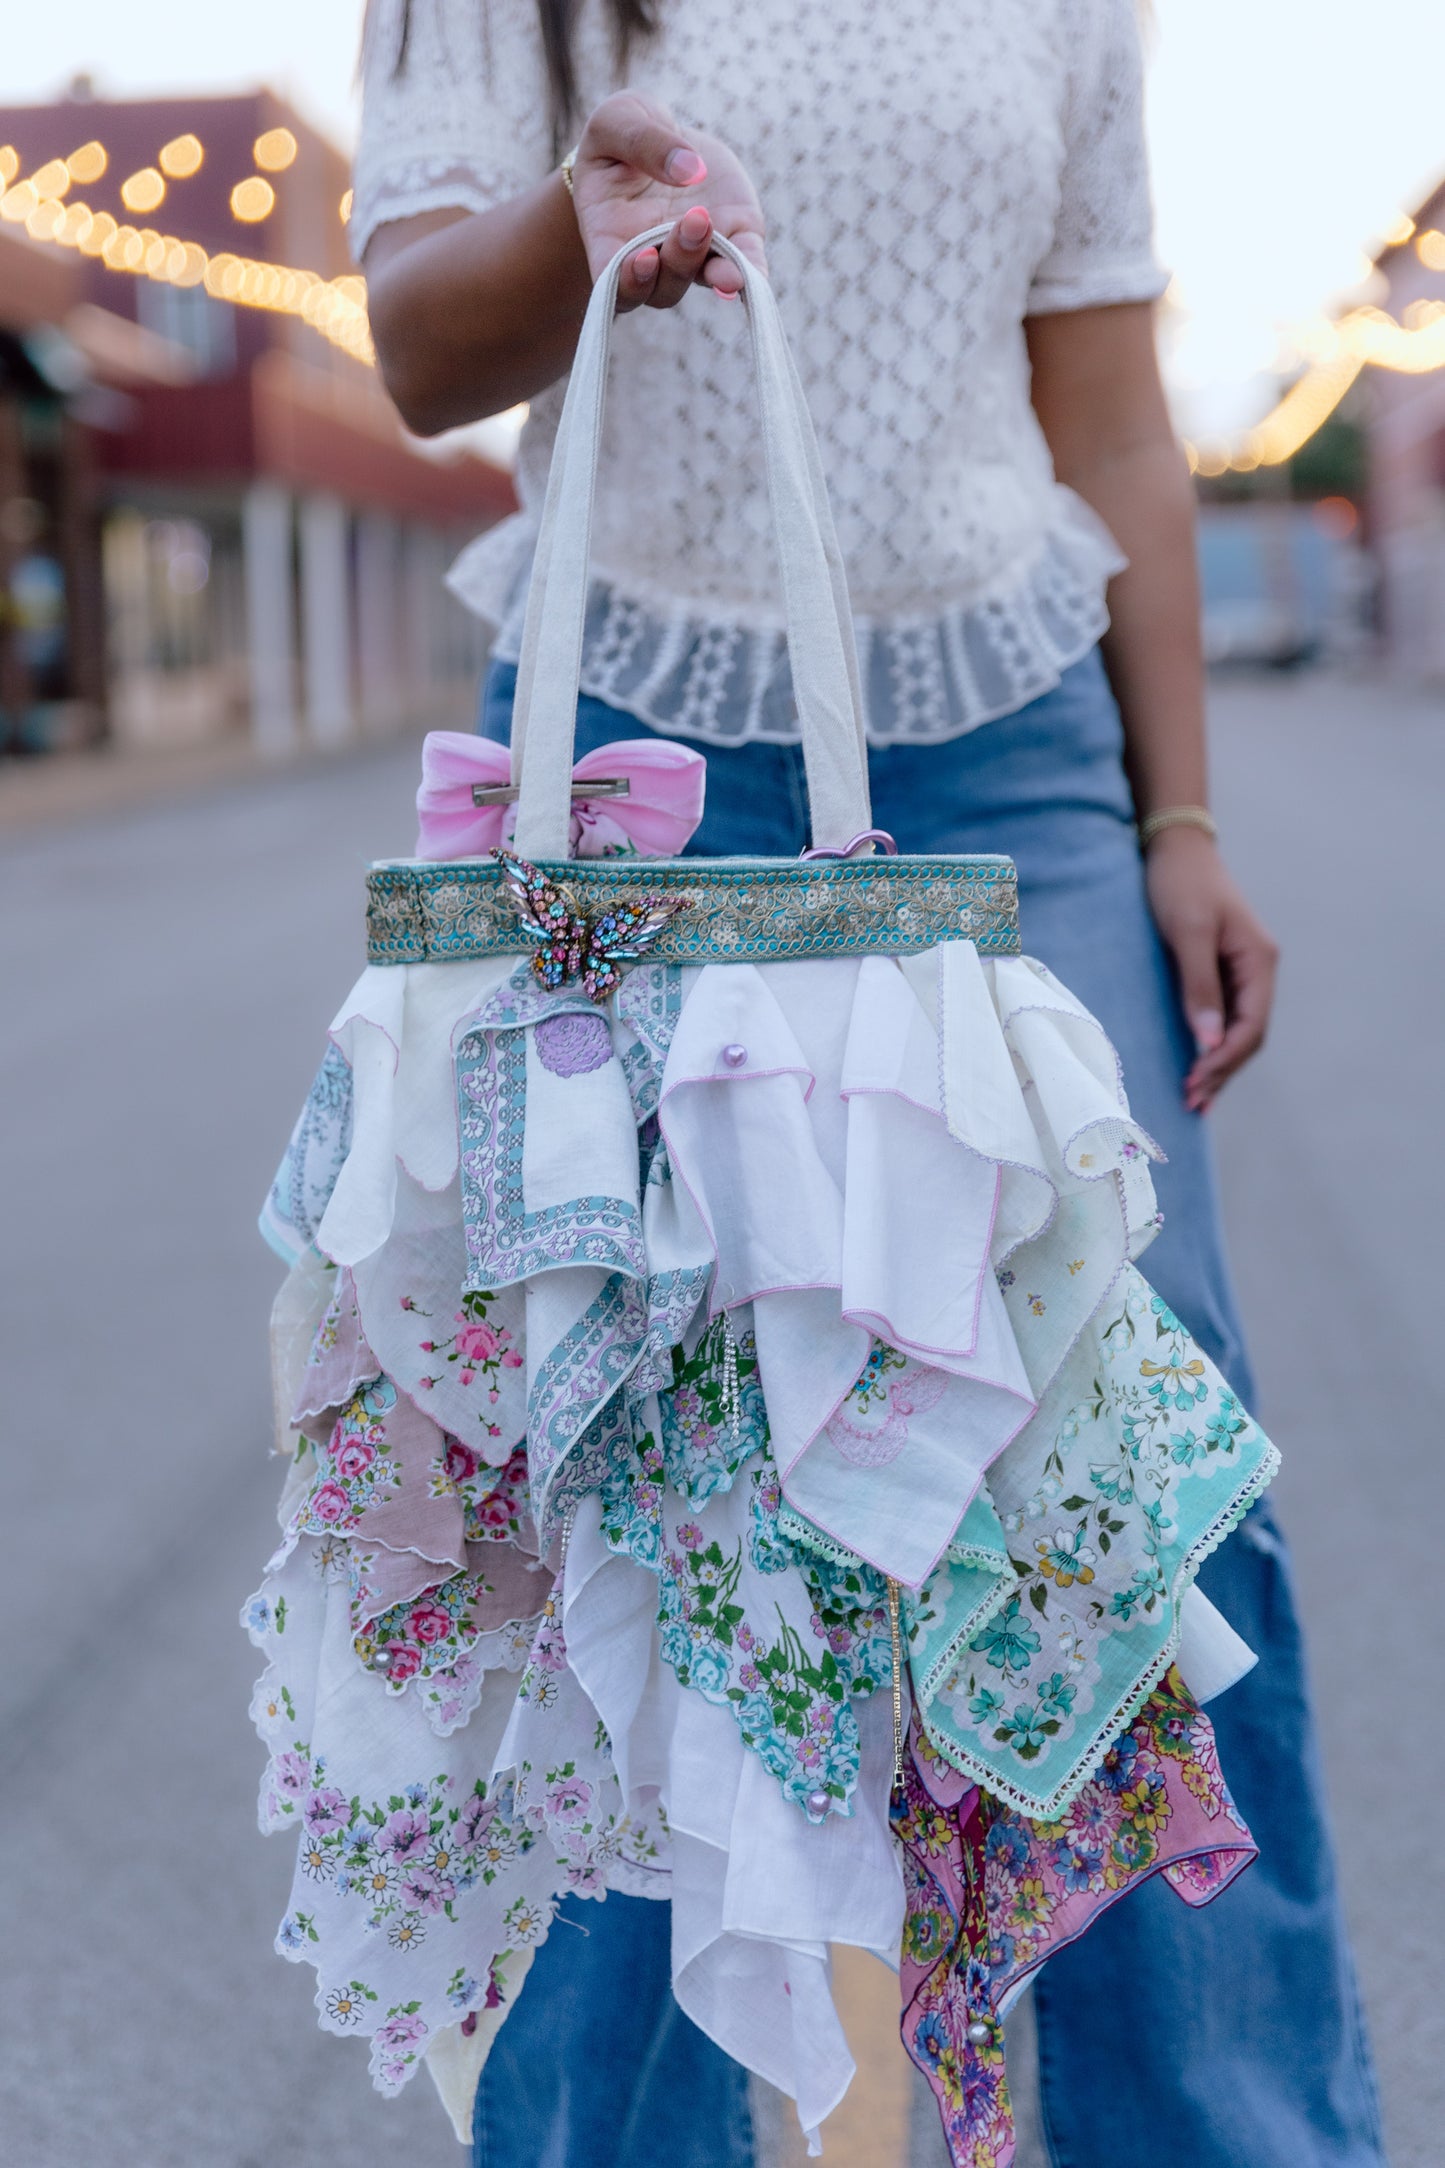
(1336, 1196)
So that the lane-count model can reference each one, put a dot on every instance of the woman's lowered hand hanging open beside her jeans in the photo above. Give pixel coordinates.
(1223, 953)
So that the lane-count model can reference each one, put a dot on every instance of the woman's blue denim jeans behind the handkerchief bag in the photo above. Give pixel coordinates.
(1236, 2032)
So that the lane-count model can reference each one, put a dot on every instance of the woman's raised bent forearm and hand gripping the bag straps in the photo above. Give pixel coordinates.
(473, 313)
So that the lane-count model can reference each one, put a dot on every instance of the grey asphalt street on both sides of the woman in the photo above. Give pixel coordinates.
(166, 977)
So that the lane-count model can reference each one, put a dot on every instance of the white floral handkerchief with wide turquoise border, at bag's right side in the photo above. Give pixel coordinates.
(1091, 1616)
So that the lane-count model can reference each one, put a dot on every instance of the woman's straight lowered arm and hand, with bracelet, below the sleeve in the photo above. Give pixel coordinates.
(1102, 406)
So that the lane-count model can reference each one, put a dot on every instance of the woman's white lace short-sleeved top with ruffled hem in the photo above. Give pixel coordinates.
(933, 172)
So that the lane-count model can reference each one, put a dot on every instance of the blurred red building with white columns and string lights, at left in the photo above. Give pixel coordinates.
(211, 517)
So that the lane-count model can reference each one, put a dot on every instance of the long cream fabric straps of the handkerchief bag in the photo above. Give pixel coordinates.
(816, 602)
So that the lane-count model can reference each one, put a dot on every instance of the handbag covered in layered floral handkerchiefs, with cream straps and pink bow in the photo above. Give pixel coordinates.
(733, 1449)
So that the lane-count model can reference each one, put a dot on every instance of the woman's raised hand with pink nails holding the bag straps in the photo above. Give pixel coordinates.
(636, 170)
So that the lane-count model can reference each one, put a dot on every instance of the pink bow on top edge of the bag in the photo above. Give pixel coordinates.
(655, 821)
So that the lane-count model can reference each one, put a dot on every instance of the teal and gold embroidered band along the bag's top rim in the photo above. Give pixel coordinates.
(740, 909)
